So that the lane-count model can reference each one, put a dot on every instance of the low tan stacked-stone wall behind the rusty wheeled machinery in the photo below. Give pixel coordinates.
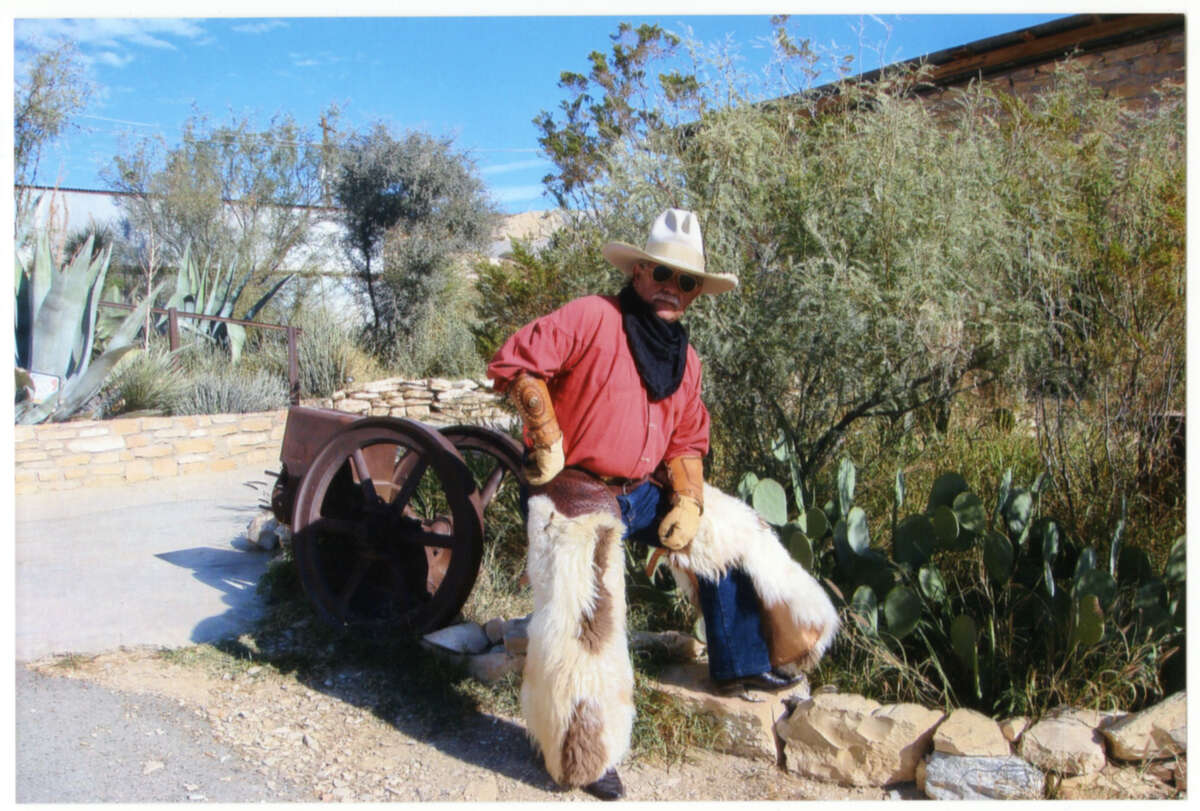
(98, 453)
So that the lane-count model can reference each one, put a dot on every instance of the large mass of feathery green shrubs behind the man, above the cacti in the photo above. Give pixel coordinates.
(892, 254)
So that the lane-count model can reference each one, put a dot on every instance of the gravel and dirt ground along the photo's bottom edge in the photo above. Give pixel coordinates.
(135, 726)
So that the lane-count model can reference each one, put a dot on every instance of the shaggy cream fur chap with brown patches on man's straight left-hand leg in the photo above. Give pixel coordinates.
(578, 690)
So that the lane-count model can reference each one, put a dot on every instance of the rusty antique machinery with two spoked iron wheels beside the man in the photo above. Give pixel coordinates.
(387, 514)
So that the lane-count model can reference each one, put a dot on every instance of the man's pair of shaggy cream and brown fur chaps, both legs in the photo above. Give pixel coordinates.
(578, 689)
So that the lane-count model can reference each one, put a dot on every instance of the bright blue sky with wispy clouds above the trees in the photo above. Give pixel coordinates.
(478, 80)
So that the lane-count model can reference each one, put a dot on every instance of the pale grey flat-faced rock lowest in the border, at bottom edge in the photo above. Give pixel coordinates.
(957, 778)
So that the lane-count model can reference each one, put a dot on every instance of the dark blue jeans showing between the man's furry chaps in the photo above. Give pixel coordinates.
(731, 608)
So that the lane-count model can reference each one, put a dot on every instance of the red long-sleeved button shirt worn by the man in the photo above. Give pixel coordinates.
(610, 426)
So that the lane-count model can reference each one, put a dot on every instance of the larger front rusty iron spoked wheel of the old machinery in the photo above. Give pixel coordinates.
(388, 528)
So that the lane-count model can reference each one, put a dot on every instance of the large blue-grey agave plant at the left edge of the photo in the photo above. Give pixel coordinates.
(56, 329)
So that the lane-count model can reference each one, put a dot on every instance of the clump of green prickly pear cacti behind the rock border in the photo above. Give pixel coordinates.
(988, 605)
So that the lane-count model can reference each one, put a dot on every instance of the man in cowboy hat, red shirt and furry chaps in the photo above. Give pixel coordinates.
(610, 394)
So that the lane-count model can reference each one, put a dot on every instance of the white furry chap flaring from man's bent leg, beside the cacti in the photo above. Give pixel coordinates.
(799, 618)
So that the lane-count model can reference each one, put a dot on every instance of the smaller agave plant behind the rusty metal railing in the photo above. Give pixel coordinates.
(213, 291)
